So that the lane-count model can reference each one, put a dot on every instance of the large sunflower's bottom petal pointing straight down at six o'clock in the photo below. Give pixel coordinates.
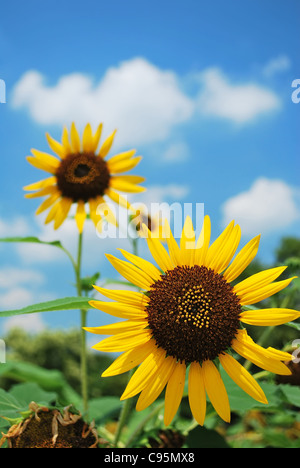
(197, 396)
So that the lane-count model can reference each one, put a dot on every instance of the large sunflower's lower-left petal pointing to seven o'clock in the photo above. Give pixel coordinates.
(156, 385)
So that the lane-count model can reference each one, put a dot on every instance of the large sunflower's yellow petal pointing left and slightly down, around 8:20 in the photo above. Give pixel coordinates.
(123, 341)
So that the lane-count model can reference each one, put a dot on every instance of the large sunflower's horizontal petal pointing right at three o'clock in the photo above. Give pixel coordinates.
(269, 317)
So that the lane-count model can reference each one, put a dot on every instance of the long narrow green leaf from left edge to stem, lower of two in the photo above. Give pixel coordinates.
(67, 303)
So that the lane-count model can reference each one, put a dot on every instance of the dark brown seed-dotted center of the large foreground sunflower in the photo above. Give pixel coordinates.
(193, 313)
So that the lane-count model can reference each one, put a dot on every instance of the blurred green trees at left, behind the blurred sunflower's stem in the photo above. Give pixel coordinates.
(58, 351)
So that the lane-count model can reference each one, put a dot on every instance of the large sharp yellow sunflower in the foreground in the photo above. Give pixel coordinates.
(187, 321)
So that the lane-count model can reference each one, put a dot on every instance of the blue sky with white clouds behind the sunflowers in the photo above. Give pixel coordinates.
(201, 89)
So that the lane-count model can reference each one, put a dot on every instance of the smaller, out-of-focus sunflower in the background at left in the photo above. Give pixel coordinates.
(81, 175)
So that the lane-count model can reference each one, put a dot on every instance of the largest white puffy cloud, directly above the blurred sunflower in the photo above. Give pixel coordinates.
(136, 97)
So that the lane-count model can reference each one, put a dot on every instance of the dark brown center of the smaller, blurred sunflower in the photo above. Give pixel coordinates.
(82, 176)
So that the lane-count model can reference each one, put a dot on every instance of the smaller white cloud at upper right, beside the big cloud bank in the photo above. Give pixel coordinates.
(239, 103)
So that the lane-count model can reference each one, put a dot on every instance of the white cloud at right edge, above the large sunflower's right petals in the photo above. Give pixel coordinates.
(268, 205)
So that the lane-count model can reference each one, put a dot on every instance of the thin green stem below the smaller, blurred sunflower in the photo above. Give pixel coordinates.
(83, 316)
